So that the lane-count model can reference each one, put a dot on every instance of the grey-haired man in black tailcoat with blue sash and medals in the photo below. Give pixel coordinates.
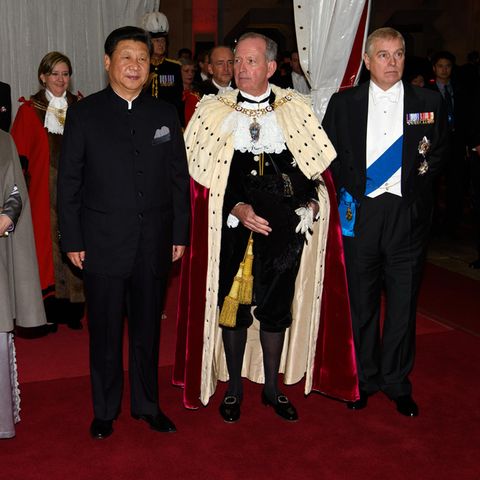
(390, 140)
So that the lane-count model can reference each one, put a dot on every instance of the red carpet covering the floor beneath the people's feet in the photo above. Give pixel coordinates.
(329, 442)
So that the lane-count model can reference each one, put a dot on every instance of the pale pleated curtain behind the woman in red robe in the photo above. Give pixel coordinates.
(31, 28)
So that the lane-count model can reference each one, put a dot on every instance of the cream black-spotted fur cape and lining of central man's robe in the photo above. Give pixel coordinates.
(210, 151)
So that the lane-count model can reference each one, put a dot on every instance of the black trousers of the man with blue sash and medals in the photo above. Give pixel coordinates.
(388, 251)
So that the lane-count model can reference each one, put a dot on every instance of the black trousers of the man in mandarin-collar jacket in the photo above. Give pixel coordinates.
(140, 296)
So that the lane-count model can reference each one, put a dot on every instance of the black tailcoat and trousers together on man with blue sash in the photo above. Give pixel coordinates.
(390, 233)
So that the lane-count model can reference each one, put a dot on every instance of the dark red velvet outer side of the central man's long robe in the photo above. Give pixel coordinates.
(332, 374)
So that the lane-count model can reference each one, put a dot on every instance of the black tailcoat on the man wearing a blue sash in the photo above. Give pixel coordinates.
(346, 125)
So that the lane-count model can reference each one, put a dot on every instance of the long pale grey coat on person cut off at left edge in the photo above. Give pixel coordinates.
(20, 295)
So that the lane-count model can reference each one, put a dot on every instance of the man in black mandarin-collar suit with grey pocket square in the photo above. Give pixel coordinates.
(123, 207)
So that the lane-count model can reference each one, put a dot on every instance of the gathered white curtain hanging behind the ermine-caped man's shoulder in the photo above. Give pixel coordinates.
(326, 31)
